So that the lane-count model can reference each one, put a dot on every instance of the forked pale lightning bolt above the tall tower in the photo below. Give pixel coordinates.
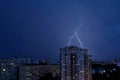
(75, 34)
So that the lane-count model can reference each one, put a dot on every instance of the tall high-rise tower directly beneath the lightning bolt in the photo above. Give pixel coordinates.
(75, 64)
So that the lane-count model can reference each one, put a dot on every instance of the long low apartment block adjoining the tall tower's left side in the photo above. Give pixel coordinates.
(37, 71)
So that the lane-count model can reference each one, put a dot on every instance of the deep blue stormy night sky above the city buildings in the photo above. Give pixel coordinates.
(39, 28)
